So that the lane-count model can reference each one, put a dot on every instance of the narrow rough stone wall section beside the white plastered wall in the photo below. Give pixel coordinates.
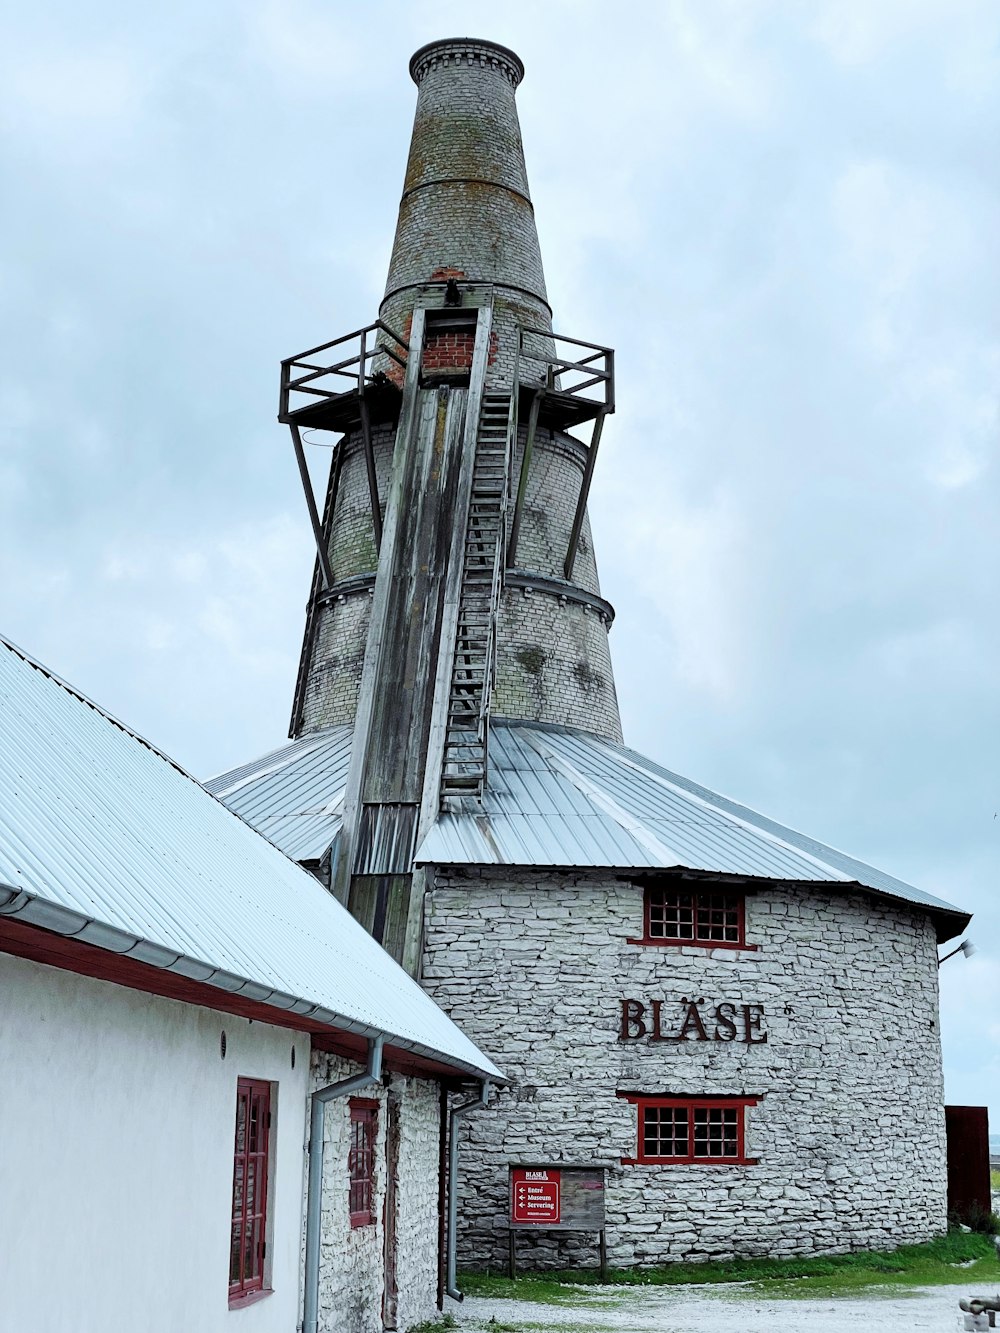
(353, 1270)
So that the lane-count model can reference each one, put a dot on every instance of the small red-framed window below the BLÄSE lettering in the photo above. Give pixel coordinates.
(691, 1130)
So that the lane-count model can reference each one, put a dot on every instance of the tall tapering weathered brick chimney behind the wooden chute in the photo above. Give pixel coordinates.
(466, 215)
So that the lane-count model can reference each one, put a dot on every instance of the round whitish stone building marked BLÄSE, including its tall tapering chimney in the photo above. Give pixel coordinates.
(735, 1023)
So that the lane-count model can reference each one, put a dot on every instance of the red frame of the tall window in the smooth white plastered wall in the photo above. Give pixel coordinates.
(253, 1287)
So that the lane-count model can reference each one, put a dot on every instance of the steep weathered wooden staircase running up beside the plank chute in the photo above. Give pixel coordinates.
(467, 734)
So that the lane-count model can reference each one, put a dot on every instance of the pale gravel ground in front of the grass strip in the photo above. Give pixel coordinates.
(699, 1310)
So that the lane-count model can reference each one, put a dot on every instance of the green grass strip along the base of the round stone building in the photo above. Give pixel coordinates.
(933, 1264)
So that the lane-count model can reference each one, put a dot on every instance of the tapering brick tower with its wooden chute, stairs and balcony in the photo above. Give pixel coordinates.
(455, 578)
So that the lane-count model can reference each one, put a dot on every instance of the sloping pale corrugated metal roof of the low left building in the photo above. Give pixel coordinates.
(98, 827)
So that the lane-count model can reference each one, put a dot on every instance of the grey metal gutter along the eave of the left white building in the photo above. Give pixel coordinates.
(69, 922)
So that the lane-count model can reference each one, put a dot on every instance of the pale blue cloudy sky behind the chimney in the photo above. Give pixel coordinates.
(782, 214)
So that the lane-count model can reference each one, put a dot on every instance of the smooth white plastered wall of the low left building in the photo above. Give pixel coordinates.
(117, 1158)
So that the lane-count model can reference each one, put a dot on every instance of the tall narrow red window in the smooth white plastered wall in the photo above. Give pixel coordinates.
(250, 1190)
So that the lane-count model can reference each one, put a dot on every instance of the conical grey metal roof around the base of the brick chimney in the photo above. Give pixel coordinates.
(563, 798)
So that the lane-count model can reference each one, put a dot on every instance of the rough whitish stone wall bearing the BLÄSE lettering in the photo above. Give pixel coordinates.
(850, 1126)
